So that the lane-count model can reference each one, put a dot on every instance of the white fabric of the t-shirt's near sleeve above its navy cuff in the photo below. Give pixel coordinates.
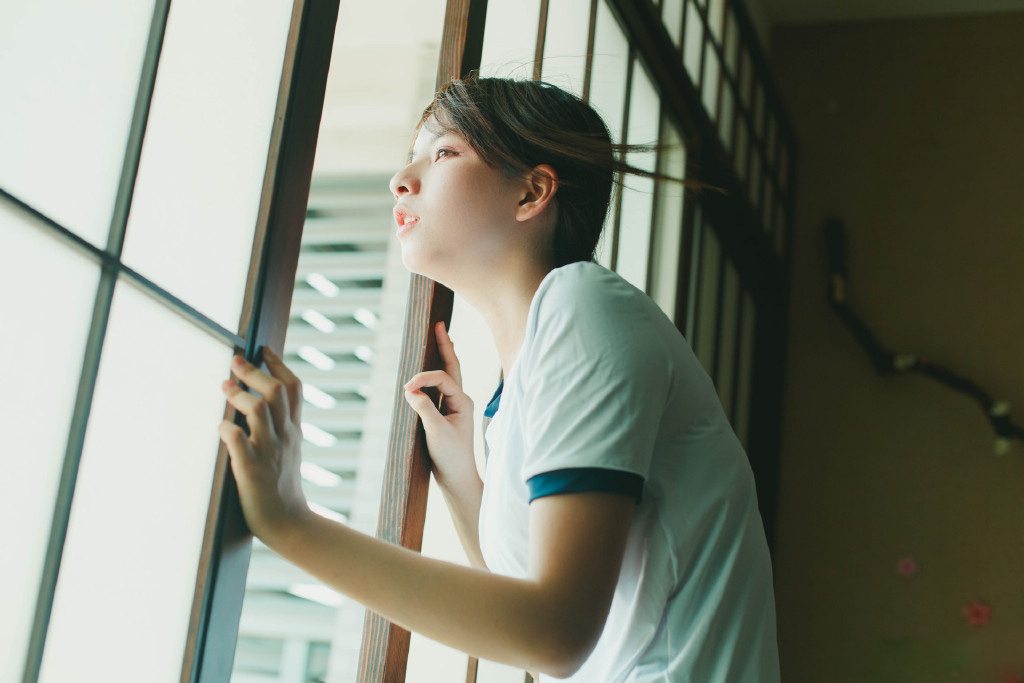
(595, 382)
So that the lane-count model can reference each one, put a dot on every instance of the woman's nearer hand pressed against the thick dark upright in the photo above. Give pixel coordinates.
(267, 462)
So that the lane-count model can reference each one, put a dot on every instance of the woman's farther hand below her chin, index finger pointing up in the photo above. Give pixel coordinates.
(450, 432)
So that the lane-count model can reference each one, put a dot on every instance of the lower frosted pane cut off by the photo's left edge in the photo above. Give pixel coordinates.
(47, 309)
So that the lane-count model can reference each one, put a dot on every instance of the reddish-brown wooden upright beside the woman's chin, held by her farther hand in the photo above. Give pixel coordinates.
(385, 653)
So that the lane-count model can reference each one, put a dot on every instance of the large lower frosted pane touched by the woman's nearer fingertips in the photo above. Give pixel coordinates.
(129, 572)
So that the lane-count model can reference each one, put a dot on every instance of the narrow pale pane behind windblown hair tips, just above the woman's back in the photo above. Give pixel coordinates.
(669, 228)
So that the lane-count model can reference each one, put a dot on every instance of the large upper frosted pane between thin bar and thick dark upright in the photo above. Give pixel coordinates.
(201, 176)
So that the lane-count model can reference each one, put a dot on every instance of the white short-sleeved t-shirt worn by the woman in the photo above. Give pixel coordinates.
(605, 380)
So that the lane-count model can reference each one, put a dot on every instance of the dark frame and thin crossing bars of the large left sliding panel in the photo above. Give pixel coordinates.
(224, 565)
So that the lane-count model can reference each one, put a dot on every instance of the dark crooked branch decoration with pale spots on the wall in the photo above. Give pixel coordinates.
(887, 363)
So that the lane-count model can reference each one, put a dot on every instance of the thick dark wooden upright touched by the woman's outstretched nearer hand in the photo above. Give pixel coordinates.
(225, 563)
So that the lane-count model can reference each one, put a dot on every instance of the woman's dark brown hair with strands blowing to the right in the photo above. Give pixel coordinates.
(519, 125)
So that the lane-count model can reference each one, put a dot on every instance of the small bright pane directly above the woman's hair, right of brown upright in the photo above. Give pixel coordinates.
(510, 38)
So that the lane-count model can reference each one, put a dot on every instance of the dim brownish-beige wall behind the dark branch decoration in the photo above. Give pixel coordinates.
(913, 134)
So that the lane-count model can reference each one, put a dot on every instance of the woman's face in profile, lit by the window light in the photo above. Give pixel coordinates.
(455, 216)
